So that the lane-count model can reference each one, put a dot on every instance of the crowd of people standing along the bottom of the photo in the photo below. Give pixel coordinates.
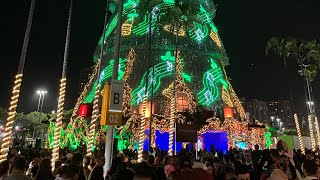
(272, 164)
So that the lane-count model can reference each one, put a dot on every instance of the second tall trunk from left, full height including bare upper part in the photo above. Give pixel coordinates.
(62, 92)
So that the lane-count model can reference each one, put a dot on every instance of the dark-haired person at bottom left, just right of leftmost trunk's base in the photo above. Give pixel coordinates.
(19, 170)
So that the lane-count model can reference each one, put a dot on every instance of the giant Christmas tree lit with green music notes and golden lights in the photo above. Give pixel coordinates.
(171, 56)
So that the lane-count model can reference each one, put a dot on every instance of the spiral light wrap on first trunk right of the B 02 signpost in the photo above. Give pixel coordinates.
(142, 129)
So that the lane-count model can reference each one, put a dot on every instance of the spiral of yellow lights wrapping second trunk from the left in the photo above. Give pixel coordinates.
(58, 124)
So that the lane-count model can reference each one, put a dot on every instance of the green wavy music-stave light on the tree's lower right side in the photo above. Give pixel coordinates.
(210, 93)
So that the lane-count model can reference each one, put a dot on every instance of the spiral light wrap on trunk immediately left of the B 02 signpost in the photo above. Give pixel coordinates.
(93, 123)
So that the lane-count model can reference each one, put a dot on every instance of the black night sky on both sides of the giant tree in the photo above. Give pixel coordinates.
(244, 27)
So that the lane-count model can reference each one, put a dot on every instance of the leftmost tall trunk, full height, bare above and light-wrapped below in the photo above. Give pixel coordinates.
(16, 89)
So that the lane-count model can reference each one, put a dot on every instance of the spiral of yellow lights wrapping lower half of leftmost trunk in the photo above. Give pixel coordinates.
(10, 119)
